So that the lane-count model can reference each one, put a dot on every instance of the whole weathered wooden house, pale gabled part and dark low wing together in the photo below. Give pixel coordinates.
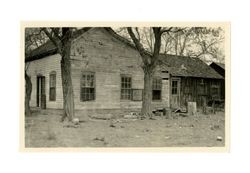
(107, 75)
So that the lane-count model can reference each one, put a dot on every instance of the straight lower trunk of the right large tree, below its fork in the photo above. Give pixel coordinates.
(147, 93)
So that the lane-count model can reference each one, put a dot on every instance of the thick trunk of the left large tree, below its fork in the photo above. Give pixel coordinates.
(68, 94)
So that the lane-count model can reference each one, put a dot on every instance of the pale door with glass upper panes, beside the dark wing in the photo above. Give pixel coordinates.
(175, 93)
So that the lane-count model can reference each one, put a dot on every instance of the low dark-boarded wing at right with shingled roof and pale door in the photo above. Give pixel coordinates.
(191, 80)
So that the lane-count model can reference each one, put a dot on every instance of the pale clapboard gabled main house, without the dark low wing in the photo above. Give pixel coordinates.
(106, 75)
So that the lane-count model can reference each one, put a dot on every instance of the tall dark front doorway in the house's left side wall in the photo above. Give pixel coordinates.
(40, 94)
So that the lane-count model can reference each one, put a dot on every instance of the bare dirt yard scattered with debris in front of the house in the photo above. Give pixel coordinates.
(43, 130)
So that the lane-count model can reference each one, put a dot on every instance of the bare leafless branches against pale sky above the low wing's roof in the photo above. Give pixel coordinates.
(200, 42)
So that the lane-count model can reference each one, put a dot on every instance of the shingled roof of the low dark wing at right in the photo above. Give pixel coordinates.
(183, 66)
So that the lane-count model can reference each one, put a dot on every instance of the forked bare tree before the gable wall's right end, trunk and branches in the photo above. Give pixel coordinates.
(149, 59)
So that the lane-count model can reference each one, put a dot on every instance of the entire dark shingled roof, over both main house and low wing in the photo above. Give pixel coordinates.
(176, 65)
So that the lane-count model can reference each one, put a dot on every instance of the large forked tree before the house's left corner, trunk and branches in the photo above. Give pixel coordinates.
(62, 38)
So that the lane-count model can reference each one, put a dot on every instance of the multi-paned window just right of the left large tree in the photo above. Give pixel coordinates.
(93, 97)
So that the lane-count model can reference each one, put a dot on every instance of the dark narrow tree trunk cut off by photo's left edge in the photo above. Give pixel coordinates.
(28, 90)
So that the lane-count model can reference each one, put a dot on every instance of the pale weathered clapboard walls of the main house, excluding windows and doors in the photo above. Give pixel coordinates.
(98, 52)
